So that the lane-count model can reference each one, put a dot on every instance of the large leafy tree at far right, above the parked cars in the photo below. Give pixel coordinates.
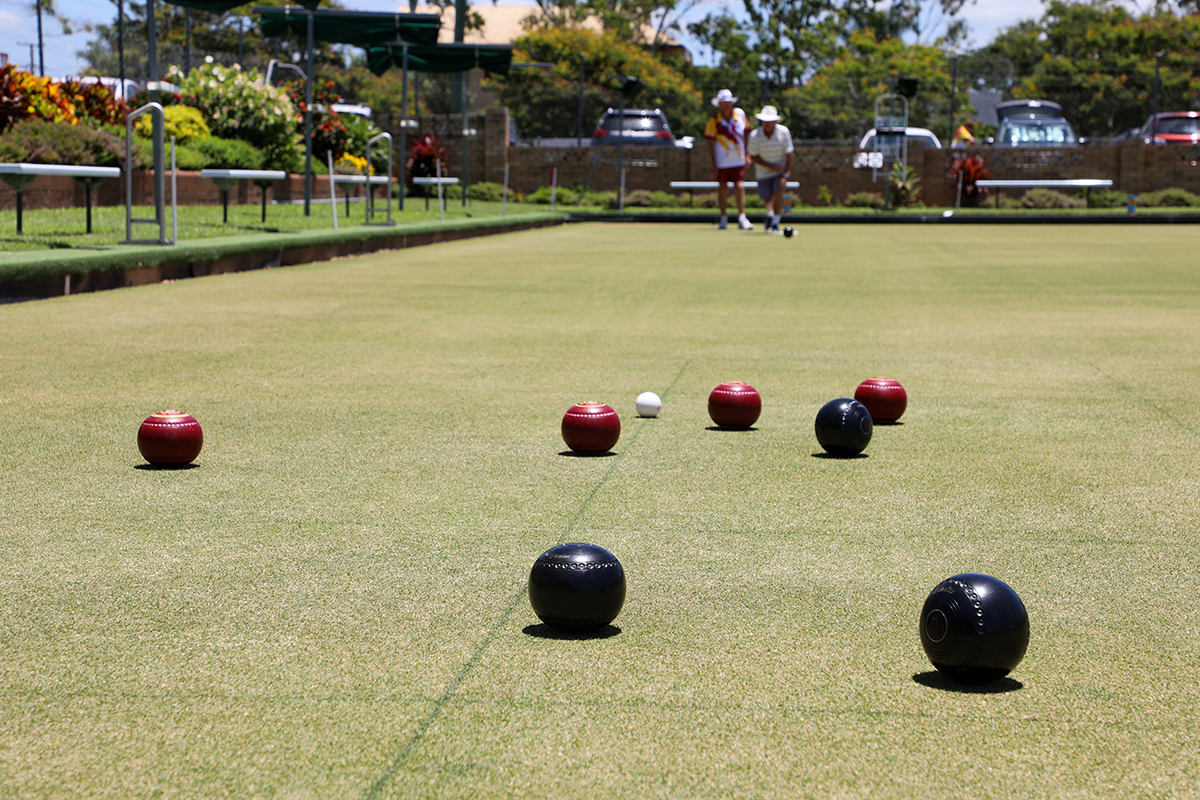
(1099, 62)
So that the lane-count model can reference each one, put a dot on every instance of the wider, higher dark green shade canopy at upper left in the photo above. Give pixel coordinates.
(358, 28)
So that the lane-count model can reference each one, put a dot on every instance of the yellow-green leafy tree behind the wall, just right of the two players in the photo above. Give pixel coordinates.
(839, 101)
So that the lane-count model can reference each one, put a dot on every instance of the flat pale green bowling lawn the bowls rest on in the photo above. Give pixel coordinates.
(332, 603)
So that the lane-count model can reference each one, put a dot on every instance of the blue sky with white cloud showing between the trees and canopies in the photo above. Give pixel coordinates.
(19, 26)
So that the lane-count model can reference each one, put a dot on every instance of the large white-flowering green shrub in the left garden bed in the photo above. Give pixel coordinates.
(239, 105)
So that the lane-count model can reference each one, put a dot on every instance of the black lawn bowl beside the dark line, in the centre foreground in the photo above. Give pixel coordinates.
(577, 588)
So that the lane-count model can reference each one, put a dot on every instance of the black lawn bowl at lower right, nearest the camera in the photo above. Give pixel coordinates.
(975, 629)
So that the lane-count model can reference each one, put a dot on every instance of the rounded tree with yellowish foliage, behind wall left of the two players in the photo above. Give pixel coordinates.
(545, 103)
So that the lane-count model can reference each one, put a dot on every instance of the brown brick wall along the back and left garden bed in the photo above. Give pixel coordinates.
(1133, 167)
